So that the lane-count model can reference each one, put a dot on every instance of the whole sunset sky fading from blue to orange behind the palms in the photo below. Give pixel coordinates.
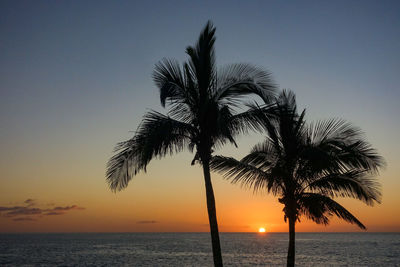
(75, 79)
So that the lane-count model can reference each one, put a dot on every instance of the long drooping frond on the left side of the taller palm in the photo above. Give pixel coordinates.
(157, 136)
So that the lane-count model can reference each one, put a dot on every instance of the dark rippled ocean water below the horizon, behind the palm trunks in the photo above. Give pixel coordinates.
(194, 249)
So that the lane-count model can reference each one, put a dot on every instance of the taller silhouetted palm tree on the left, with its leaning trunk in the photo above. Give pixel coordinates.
(202, 117)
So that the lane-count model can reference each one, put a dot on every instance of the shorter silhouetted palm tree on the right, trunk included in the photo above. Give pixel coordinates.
(306, 166)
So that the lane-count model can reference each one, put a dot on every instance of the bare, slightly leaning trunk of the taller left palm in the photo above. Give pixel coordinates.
(212, 216)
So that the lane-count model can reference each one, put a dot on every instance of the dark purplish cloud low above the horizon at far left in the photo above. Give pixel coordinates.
(33, 212)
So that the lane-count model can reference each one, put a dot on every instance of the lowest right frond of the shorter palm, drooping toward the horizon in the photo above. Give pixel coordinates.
(319, 208)
